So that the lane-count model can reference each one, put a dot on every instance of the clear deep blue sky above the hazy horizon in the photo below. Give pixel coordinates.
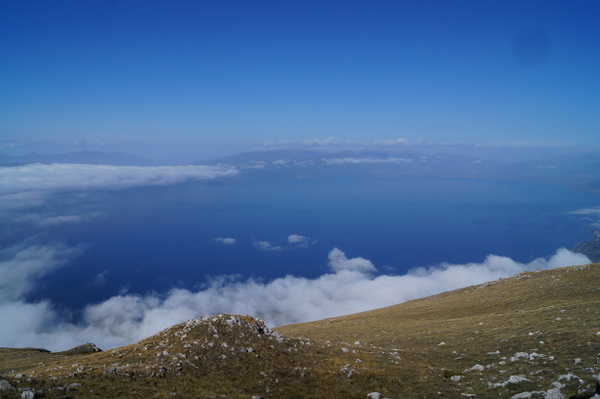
(130, 71)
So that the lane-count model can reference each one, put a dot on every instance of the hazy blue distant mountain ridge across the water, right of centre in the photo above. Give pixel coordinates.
(564, 166)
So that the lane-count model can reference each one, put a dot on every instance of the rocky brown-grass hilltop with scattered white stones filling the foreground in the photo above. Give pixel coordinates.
(534, 335)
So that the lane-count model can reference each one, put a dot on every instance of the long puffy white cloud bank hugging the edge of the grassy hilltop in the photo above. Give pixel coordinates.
(352, 286)
